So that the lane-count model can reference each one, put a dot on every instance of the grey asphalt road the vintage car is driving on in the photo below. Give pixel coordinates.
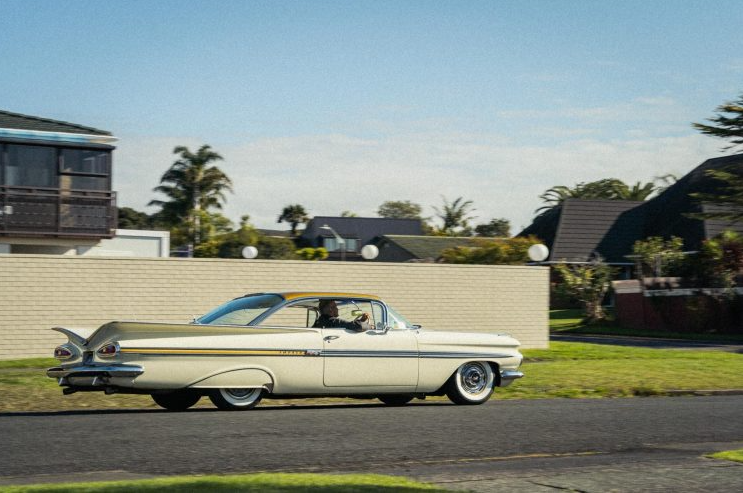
(452, 445)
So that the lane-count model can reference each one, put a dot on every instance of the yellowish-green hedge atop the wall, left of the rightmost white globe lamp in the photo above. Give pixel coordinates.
(511, 251)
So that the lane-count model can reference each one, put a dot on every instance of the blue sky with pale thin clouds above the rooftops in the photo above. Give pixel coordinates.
(343, 105)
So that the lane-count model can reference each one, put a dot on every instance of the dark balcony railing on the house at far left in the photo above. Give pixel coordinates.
(35, 211)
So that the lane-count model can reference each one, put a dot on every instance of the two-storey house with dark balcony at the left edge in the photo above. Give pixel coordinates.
(55, 191)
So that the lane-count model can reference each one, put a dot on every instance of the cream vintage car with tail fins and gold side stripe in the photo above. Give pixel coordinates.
(268, 345)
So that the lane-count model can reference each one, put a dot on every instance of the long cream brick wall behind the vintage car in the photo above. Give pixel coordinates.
(39, 291)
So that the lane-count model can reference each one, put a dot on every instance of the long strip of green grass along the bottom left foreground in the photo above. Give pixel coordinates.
(269, 483)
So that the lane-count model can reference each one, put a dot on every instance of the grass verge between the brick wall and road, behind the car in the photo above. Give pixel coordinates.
(565, 370)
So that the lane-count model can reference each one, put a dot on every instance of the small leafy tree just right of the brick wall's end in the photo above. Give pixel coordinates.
(589, 284)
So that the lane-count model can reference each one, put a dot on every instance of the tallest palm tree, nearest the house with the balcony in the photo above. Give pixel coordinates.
(193, 186)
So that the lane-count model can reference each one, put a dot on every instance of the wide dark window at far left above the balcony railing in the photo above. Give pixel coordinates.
(31, 166)
